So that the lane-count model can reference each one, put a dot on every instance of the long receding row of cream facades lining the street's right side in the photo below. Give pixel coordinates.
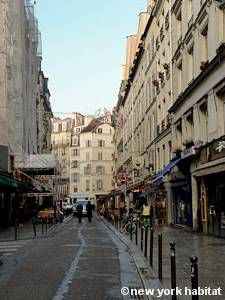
(169, 118)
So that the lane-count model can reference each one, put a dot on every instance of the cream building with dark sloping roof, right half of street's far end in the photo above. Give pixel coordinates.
(96, 158)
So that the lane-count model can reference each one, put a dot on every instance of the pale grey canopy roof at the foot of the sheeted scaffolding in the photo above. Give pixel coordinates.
(40, 161)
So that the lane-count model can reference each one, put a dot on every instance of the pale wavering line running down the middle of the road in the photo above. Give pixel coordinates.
(64, 286)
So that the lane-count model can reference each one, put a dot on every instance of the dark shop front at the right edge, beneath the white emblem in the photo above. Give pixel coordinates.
(211, 177)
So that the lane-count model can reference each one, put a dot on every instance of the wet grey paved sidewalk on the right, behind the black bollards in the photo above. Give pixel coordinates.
(209, 250)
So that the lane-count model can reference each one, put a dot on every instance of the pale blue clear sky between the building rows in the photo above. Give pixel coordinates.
(83, 48)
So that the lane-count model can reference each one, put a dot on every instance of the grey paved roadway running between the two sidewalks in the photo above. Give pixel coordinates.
(78, 261)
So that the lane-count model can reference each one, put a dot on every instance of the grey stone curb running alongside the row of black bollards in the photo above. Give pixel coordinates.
(146, 273)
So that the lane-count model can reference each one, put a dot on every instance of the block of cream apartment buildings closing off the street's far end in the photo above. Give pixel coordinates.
(84, 146)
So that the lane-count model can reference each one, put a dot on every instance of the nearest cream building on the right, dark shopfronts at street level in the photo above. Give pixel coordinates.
(198, 51)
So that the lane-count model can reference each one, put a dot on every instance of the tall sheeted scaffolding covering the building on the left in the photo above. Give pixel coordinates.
(20, 56)
